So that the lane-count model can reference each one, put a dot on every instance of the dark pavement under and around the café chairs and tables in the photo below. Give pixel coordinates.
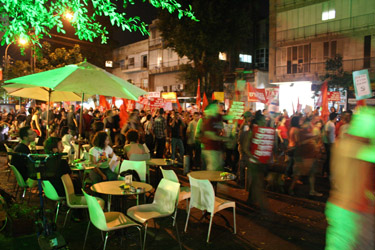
(291, 223)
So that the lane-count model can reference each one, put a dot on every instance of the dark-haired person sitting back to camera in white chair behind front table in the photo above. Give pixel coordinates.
(134, 147)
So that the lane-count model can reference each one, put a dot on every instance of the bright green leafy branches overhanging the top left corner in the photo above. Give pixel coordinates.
(34, 19)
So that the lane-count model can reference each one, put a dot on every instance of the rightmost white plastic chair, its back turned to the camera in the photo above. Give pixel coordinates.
(203, 197)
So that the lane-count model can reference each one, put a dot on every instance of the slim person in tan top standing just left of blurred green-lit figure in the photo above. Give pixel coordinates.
(192, 146)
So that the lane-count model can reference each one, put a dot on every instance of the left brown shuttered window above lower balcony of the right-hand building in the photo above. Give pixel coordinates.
(298, 59)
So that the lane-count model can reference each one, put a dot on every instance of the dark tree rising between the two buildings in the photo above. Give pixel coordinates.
(224, 26)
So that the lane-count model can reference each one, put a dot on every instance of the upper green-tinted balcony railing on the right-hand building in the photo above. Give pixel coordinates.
(334, 26)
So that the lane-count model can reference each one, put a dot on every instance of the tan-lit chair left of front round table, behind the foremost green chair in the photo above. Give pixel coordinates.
(72, 200)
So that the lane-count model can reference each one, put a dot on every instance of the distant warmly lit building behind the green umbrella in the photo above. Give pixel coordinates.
(149, 65)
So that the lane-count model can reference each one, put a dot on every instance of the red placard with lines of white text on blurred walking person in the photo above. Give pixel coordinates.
(262, 143)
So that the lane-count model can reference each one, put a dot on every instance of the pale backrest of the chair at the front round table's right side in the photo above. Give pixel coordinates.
(166, 195)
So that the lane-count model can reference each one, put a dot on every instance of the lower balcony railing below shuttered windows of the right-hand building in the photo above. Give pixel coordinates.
(319, 68)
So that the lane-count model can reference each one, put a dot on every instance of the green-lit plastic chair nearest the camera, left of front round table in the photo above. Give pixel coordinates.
(106, 221)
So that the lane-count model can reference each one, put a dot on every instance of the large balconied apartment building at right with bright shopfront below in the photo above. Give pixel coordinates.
(305, 33)
